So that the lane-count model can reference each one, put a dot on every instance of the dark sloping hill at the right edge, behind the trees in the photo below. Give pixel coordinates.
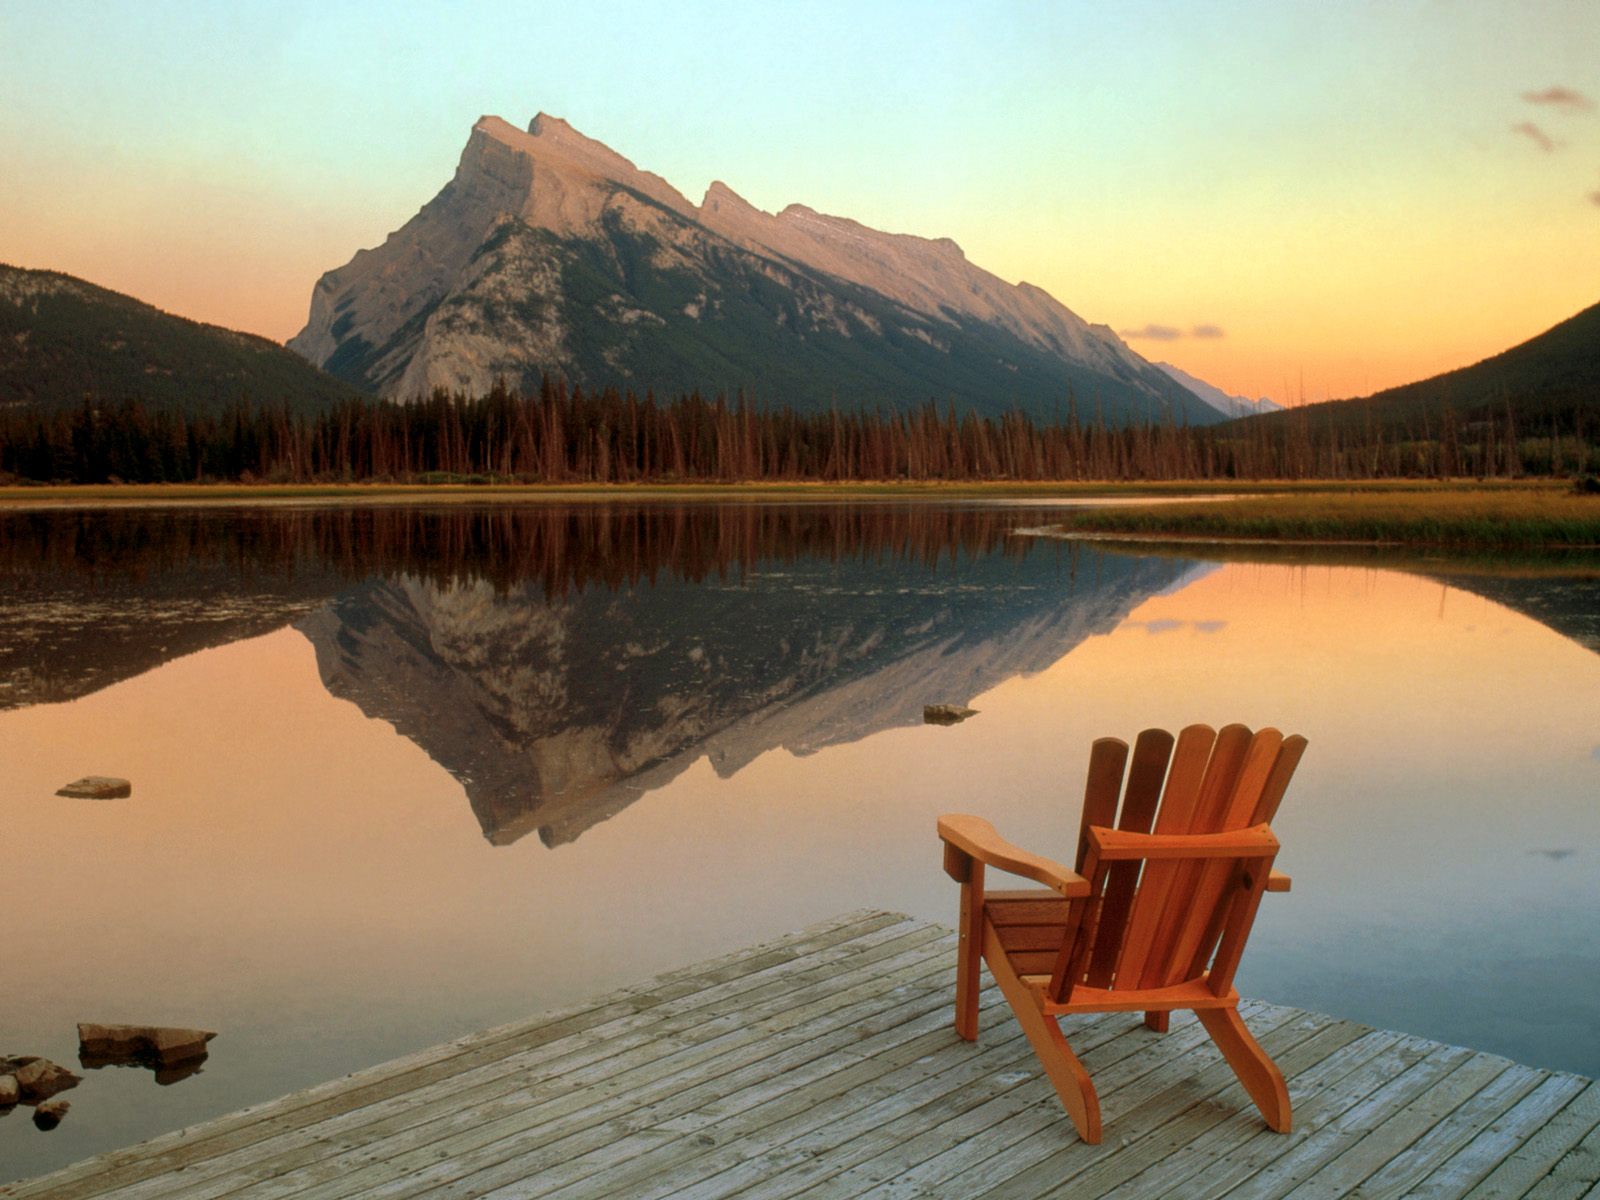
(1548, 380)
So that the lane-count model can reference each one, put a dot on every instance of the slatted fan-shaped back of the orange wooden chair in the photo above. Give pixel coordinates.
(1177, 858)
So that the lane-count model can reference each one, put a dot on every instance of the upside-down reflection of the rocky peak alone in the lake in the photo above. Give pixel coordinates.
(556, 713)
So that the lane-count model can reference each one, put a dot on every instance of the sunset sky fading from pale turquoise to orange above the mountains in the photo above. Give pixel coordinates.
(1284, 198)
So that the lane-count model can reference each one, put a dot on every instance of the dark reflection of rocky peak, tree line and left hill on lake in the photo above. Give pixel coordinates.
(562, 662)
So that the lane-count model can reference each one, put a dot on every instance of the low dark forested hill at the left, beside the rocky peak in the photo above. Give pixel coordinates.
(70, 342)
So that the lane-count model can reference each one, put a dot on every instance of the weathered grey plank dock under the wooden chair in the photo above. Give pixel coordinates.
(823, 1065)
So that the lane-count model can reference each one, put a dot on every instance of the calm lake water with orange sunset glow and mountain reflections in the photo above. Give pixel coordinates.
(402, 775)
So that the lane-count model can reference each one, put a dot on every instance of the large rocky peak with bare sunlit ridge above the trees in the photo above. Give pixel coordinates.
(550, 252)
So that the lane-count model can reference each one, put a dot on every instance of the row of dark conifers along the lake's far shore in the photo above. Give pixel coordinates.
(610, 436)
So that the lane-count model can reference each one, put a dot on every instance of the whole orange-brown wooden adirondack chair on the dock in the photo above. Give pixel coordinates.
(1111, 938)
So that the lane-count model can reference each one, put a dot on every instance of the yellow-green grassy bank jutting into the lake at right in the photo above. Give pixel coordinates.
(1455, 518)
